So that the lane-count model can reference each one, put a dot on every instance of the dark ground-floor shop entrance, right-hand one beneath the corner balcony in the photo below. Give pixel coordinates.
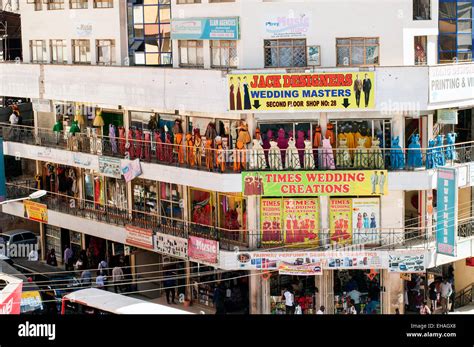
(360, 288)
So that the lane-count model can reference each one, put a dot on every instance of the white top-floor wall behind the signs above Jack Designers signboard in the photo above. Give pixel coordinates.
(391, 21)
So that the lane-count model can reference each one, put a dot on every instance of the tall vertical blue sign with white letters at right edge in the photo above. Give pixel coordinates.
(446, 211)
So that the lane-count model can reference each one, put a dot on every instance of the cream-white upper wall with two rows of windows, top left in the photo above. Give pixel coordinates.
(107, 23)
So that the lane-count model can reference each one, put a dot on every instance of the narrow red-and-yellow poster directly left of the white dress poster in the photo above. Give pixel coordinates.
(340, 221)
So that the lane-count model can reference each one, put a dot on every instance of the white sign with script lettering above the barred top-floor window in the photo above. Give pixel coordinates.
(287, 25)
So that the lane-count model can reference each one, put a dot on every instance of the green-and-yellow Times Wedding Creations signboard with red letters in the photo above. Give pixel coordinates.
(315, 183)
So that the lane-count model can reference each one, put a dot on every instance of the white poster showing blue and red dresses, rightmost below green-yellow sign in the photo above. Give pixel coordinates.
(366, 221)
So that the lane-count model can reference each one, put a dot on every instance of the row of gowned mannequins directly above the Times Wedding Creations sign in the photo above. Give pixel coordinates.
(284, 151)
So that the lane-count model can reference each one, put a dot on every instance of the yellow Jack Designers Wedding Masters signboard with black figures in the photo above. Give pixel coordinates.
(301, 92)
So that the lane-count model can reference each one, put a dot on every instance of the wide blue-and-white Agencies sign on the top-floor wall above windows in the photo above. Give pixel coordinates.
(221, 28)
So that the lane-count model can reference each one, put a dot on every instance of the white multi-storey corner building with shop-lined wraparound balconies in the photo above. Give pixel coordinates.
(290, 144)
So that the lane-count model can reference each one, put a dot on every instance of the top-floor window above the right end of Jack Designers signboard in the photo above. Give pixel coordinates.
(357, 51)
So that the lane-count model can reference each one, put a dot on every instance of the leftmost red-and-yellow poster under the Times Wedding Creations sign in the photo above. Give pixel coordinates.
(270, 221)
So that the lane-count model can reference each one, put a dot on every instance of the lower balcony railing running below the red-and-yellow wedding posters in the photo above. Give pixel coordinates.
(380, 238)
